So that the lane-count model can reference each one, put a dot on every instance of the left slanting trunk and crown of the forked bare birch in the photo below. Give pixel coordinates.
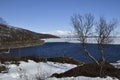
(83, 28)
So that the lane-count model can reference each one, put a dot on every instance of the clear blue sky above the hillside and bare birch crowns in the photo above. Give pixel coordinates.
(51, 15)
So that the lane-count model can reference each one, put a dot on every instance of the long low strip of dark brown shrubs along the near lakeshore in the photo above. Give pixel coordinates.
(16, 60)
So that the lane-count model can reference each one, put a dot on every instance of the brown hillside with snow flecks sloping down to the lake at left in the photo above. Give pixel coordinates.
(13, 37)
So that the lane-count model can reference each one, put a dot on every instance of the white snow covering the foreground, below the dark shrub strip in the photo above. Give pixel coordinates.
(32, 71)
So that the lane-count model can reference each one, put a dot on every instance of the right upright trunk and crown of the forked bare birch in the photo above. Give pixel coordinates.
(104, 31)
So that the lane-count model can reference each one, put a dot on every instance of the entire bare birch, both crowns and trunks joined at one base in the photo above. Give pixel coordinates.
(83, 26)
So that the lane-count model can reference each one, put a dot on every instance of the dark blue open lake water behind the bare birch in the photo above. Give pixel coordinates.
(74, 50)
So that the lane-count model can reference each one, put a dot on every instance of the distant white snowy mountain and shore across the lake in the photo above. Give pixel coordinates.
(66, 36)
